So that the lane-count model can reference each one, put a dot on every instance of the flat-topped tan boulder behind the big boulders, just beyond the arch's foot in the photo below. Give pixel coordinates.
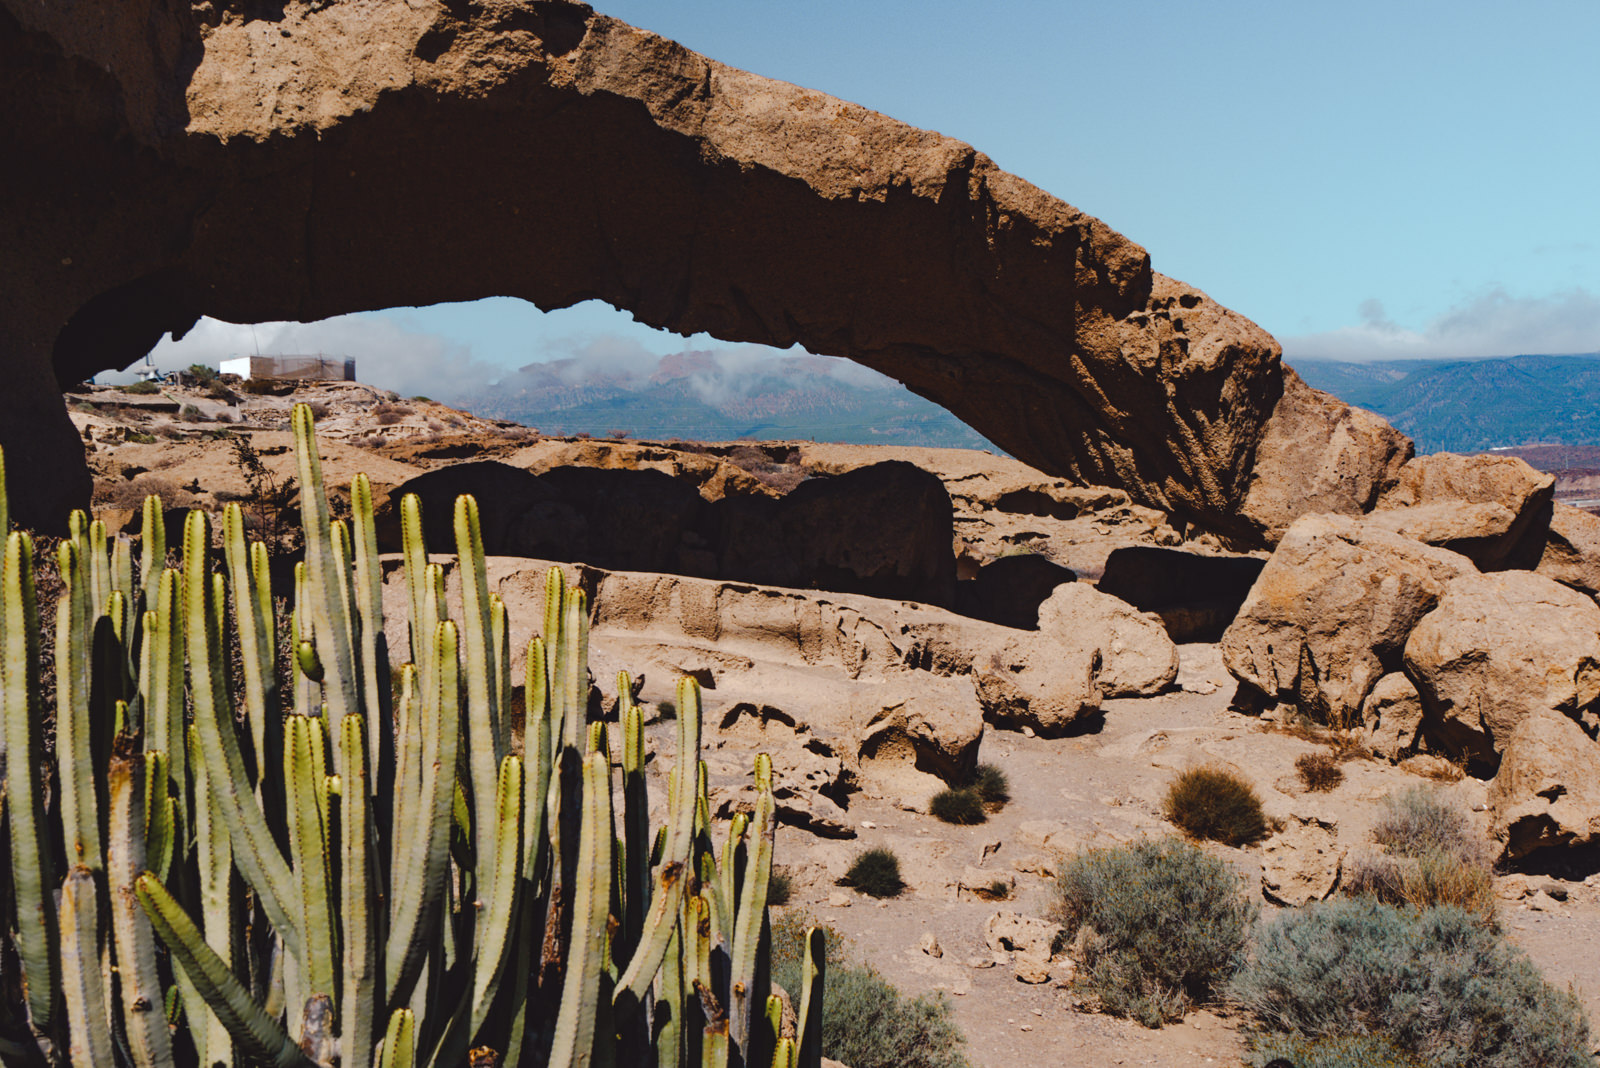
(1492, 509)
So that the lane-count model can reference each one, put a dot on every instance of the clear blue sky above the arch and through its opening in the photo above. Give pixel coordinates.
(1364, 180)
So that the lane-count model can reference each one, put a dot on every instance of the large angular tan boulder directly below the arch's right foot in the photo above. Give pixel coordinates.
(1332, 612)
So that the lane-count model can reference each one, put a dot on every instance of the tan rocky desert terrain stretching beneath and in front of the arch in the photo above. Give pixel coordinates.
(866, 703)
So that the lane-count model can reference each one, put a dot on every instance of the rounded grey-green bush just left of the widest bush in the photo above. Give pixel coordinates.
(1159, 925)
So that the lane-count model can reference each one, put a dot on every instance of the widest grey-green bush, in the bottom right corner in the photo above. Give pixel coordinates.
(1439, 984)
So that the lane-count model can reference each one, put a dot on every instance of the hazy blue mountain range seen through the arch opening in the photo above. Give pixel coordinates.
(722, 396)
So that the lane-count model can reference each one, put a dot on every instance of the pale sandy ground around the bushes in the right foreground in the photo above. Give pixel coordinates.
(1103, 789)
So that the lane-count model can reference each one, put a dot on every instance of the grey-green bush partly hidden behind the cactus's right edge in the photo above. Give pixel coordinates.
(866, 1021)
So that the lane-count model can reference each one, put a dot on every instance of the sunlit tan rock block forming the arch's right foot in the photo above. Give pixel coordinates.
(1319, 455)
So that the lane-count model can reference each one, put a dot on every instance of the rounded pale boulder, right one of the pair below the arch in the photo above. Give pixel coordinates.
(1135, 655)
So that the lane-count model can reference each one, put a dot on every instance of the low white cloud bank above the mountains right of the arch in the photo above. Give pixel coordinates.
(1490, 325)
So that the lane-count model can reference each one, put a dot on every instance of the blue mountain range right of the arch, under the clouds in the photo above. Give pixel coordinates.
(1473, 405)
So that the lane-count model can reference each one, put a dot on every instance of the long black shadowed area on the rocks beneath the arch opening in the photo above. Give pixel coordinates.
(881, 530)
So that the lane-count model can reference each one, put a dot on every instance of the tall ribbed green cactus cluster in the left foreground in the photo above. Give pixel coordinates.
(231, 864)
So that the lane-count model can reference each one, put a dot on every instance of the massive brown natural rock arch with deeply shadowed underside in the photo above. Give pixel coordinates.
(292, 161)
